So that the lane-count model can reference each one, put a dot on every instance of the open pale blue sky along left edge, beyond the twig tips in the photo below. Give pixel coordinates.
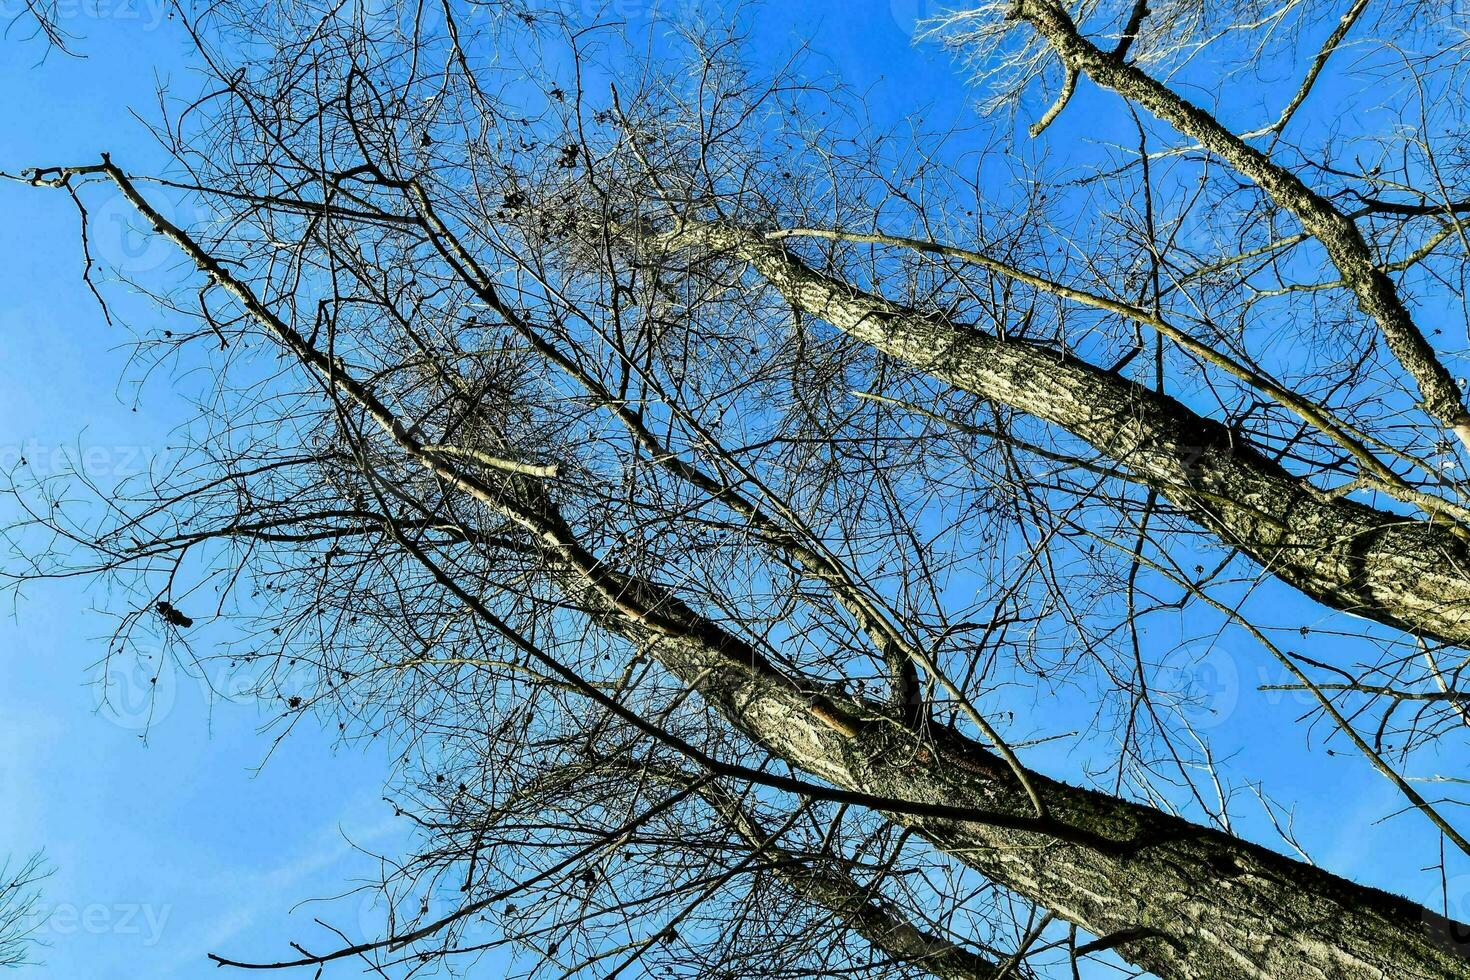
(182, 843)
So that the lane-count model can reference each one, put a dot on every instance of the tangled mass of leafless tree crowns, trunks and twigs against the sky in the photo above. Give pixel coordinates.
(742, 516)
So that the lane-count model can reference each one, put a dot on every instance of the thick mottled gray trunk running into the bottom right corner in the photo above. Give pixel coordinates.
(1184, 901)
